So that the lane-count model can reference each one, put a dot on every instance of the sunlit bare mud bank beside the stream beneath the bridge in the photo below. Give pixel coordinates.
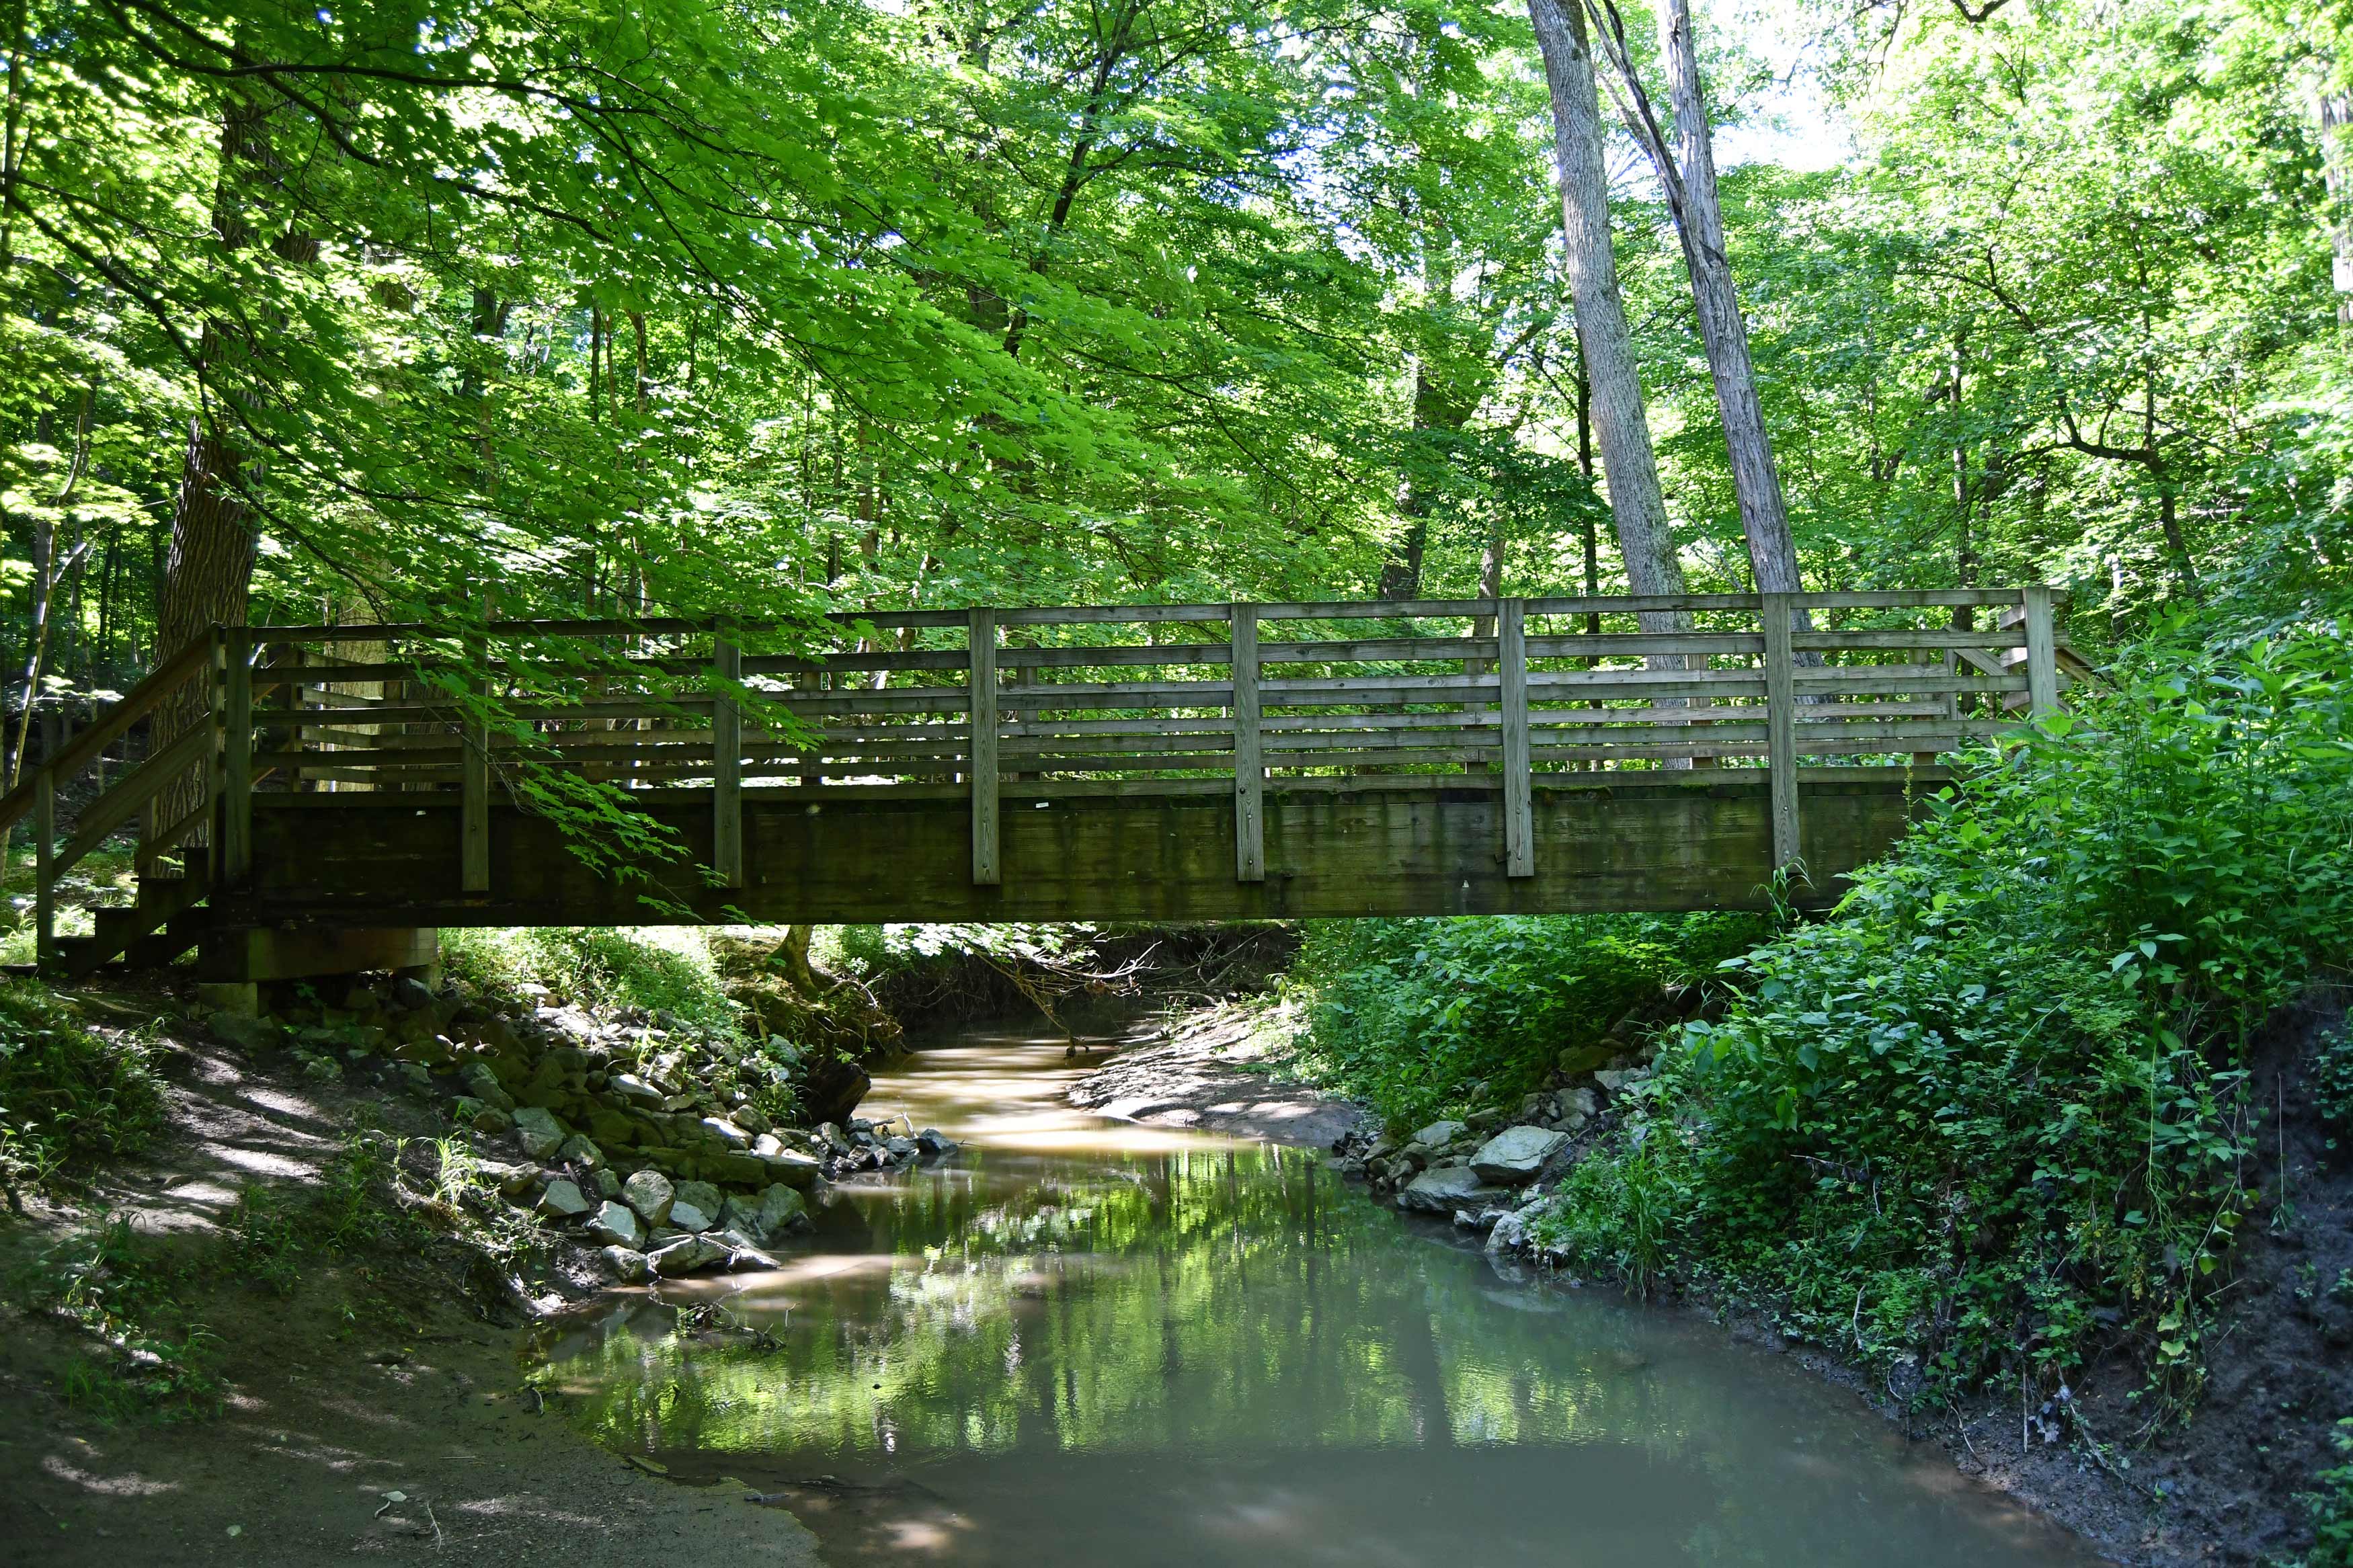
(1215, 1078)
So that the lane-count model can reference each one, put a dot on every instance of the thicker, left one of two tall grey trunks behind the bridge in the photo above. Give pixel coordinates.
(1620, 427)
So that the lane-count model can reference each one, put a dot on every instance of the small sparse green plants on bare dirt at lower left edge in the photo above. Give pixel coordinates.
(149, 1355)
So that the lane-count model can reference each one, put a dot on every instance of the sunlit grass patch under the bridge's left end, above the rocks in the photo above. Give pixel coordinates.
(604, 967)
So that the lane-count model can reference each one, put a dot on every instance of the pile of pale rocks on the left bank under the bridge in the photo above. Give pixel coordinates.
(636, 1134)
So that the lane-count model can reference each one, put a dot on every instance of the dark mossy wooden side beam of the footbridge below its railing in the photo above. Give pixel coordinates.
(1698, 840)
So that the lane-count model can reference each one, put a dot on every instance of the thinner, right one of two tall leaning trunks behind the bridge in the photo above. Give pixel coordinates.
(1700, 220)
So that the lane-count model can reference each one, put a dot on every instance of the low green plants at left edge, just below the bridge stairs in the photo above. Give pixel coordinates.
(67, 1092)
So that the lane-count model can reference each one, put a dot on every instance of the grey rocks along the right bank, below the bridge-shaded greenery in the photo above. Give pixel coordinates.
(1495, 1165)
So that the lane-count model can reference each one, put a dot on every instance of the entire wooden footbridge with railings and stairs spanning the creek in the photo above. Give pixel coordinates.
(1041, 765)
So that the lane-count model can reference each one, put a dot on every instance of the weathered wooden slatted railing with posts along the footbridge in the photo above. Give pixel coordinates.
(1159, 699)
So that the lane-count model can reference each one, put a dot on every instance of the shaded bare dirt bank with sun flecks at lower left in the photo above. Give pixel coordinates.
(375, 1376)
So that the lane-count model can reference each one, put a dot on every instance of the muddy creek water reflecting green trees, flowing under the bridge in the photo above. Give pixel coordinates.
(1084, 1341)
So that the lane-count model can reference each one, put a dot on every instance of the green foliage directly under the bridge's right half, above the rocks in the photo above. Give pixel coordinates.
(1420, 1017)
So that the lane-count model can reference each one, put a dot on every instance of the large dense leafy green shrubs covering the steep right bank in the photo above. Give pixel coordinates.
(1994, 1106)
